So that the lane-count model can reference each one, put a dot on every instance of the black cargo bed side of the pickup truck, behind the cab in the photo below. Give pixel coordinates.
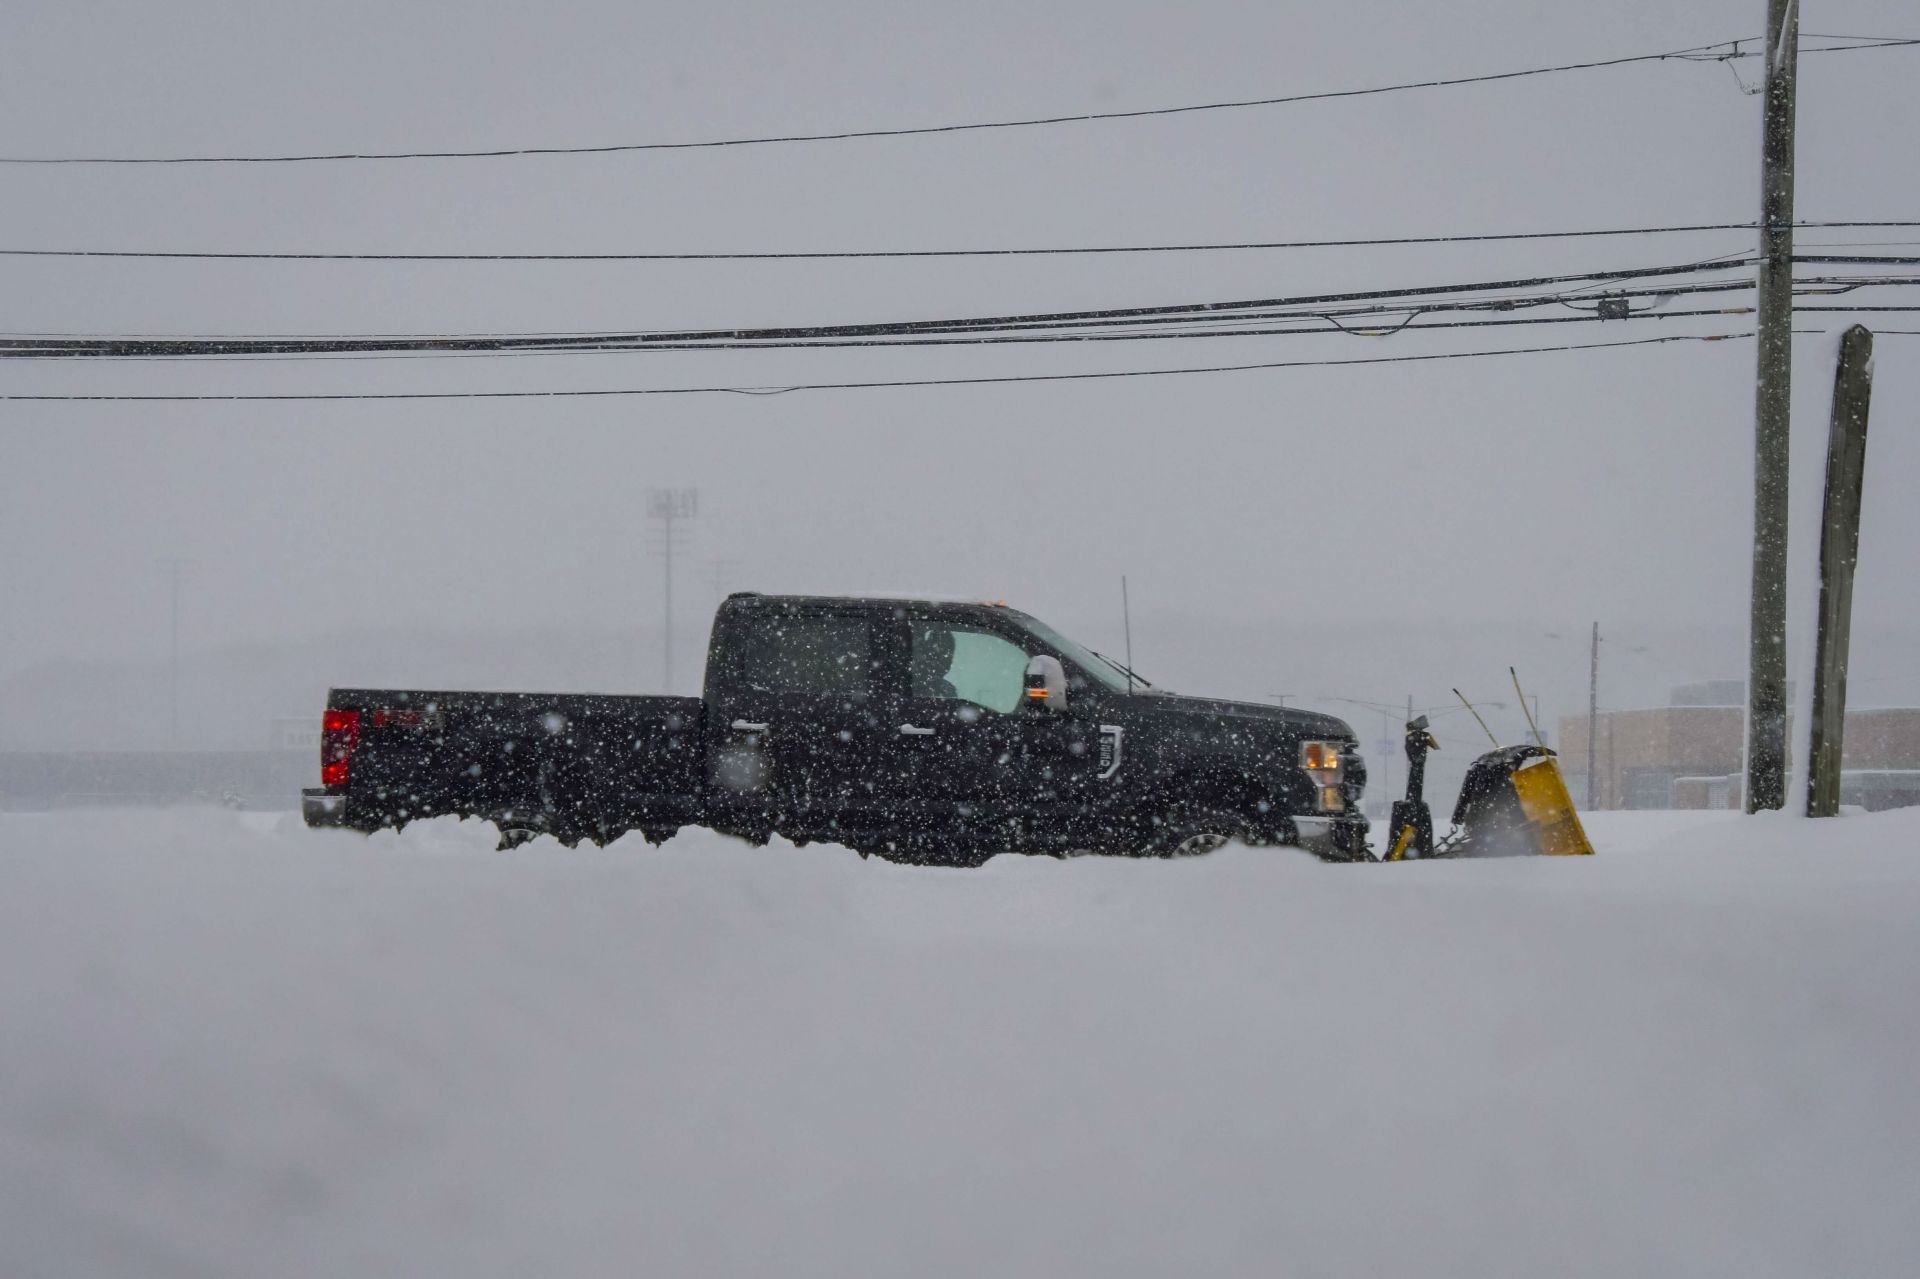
(575, 765)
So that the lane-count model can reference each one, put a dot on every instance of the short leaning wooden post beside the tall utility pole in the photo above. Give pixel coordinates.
(1840, 550)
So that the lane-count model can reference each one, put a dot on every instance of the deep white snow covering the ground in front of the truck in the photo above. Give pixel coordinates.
(237, 1048)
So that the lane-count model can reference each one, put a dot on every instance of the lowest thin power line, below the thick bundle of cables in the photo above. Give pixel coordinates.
(900, 383)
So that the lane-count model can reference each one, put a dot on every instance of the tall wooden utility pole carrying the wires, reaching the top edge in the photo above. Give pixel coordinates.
(1767, 637)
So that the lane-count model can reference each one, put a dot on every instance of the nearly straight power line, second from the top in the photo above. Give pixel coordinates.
(976, 253)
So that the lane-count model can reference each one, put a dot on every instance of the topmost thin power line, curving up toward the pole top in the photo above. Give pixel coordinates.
(1725, 51)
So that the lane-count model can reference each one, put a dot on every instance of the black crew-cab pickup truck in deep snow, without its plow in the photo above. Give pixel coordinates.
(909, 729)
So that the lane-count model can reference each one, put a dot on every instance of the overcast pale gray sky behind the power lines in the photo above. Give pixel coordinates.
(1533, 489)
